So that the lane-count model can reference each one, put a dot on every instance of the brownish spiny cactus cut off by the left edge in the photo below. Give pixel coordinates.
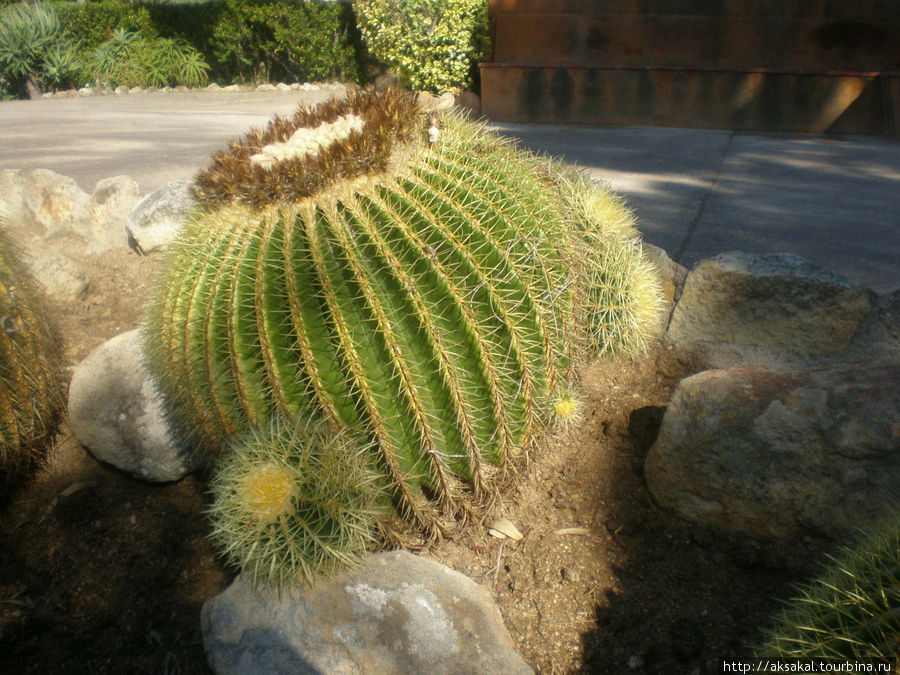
(31, 381)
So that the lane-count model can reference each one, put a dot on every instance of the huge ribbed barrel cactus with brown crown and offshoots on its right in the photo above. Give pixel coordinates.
(418, 280)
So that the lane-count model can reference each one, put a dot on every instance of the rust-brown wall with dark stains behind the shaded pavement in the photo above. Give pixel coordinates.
(800, 65)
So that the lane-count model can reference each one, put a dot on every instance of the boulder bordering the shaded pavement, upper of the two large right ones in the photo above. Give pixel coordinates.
(777, 309)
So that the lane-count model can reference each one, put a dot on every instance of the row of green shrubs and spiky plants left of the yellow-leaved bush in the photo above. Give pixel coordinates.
(157, 44)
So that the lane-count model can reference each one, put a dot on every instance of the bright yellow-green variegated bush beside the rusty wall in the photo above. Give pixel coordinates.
(433, 44)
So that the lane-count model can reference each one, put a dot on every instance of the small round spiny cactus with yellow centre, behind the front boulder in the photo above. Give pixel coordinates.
(294, 501)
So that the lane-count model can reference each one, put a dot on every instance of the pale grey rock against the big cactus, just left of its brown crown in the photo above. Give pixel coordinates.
(158, 217)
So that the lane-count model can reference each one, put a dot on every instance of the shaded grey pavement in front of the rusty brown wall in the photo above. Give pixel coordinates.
(834, 201)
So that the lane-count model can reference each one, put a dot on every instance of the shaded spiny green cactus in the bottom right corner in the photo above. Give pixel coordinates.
(852, 611)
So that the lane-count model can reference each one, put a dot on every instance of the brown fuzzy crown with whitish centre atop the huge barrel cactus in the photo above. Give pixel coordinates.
(296, 157)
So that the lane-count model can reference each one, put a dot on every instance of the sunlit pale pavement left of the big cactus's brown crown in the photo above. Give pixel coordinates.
(154, 138)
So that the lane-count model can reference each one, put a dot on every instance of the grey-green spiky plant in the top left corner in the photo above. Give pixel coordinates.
(34, 53)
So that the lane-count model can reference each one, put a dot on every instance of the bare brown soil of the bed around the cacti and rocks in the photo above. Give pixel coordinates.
(102, 573)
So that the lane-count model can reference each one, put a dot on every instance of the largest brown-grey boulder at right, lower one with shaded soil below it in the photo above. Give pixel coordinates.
(775, 454)
